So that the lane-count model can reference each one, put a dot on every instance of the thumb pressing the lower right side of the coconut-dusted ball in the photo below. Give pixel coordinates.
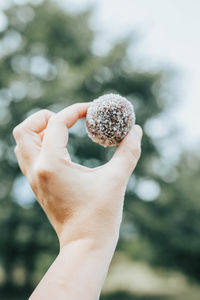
(128, 153)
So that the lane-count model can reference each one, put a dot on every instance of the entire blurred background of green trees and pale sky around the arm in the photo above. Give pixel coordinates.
(55, 53)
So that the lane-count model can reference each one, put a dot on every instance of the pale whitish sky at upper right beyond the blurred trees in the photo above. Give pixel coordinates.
(169, 37)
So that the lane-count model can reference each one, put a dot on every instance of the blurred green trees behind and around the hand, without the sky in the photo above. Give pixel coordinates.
(47, 61)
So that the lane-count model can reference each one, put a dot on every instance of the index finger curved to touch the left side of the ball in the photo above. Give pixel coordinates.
(56, 133)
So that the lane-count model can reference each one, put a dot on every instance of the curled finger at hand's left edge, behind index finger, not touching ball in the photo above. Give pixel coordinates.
(27, 136)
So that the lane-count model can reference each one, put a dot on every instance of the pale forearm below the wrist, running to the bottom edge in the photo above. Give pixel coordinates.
(78, 272)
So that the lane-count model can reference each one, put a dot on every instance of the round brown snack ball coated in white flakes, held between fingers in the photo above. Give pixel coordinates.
(109, 119)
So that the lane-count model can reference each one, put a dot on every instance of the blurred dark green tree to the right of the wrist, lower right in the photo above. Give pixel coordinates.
(170, 226)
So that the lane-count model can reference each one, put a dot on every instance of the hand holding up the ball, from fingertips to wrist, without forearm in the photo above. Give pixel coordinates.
(80, 202)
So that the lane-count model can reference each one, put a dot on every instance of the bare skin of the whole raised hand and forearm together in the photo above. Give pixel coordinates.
(83, 205)
